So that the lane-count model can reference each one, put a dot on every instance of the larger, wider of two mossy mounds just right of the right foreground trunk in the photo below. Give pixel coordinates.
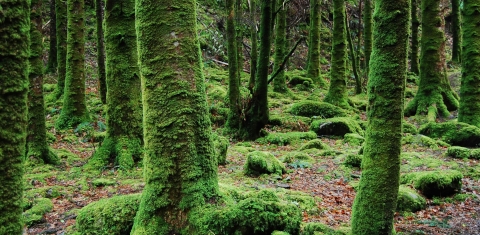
(435, 183)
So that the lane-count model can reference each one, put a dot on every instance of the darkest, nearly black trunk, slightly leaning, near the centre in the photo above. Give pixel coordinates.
(256, 113)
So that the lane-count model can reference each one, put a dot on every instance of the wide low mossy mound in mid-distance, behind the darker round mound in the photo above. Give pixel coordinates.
(309, 108)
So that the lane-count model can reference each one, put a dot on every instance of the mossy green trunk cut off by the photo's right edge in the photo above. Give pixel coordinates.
(469, 111)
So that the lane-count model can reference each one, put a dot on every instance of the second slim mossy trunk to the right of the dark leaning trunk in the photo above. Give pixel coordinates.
(313, 57)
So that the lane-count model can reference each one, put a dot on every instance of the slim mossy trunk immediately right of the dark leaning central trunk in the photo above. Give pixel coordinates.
(281, 44)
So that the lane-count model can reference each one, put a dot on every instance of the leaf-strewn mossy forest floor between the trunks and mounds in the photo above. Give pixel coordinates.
(328, 180)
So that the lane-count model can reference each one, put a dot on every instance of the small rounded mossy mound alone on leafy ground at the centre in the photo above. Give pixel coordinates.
(259, 162)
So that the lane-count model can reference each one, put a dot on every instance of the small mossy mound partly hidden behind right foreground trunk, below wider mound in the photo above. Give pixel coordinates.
(409, 200)
